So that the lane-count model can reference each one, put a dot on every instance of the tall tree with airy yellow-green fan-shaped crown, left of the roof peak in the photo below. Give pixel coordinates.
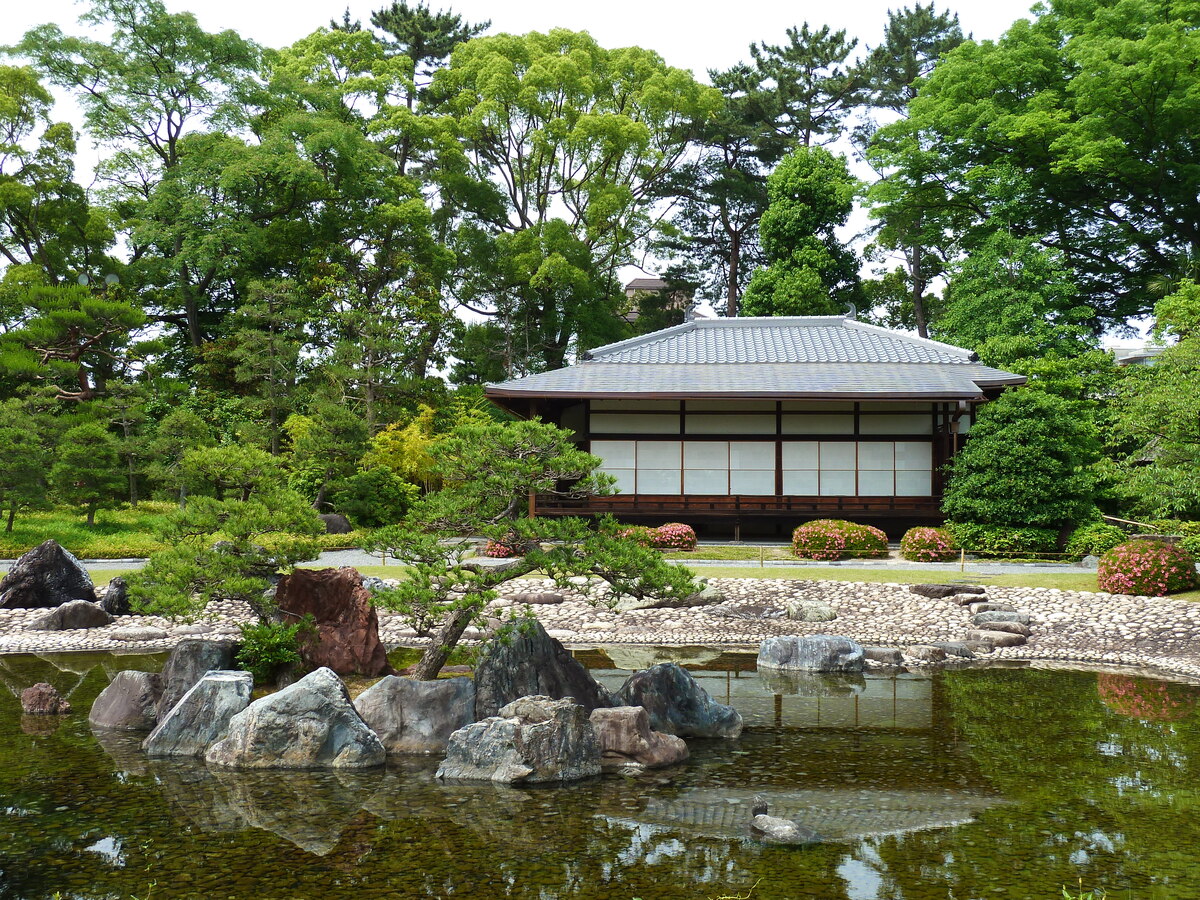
(567, 148)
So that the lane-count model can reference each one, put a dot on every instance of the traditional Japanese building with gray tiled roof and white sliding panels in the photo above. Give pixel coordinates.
(775, 421)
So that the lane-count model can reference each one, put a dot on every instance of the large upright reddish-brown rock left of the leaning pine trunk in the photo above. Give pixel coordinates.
(347, 627)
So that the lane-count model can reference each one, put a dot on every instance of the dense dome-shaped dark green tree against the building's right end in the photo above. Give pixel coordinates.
(1027, 465)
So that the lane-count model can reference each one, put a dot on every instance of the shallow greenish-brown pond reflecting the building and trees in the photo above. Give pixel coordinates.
(974, 783)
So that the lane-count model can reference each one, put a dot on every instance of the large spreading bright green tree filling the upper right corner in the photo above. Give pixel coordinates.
(1075, 129)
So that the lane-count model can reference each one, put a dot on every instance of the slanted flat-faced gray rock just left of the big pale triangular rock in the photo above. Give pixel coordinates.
(202, 716)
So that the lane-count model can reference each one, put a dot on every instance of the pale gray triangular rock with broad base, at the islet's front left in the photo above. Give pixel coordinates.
(308, 725)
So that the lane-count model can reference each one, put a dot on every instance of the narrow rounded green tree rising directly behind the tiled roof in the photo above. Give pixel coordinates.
(809, 272)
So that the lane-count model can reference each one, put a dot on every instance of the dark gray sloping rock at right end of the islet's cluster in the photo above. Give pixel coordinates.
(679, 705)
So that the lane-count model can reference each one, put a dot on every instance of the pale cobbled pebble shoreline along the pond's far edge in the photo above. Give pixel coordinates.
(1070, 627)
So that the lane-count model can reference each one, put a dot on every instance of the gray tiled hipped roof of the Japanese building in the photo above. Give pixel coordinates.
(819, 357)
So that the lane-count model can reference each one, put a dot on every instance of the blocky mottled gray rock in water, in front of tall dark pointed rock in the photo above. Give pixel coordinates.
(533, 740)
